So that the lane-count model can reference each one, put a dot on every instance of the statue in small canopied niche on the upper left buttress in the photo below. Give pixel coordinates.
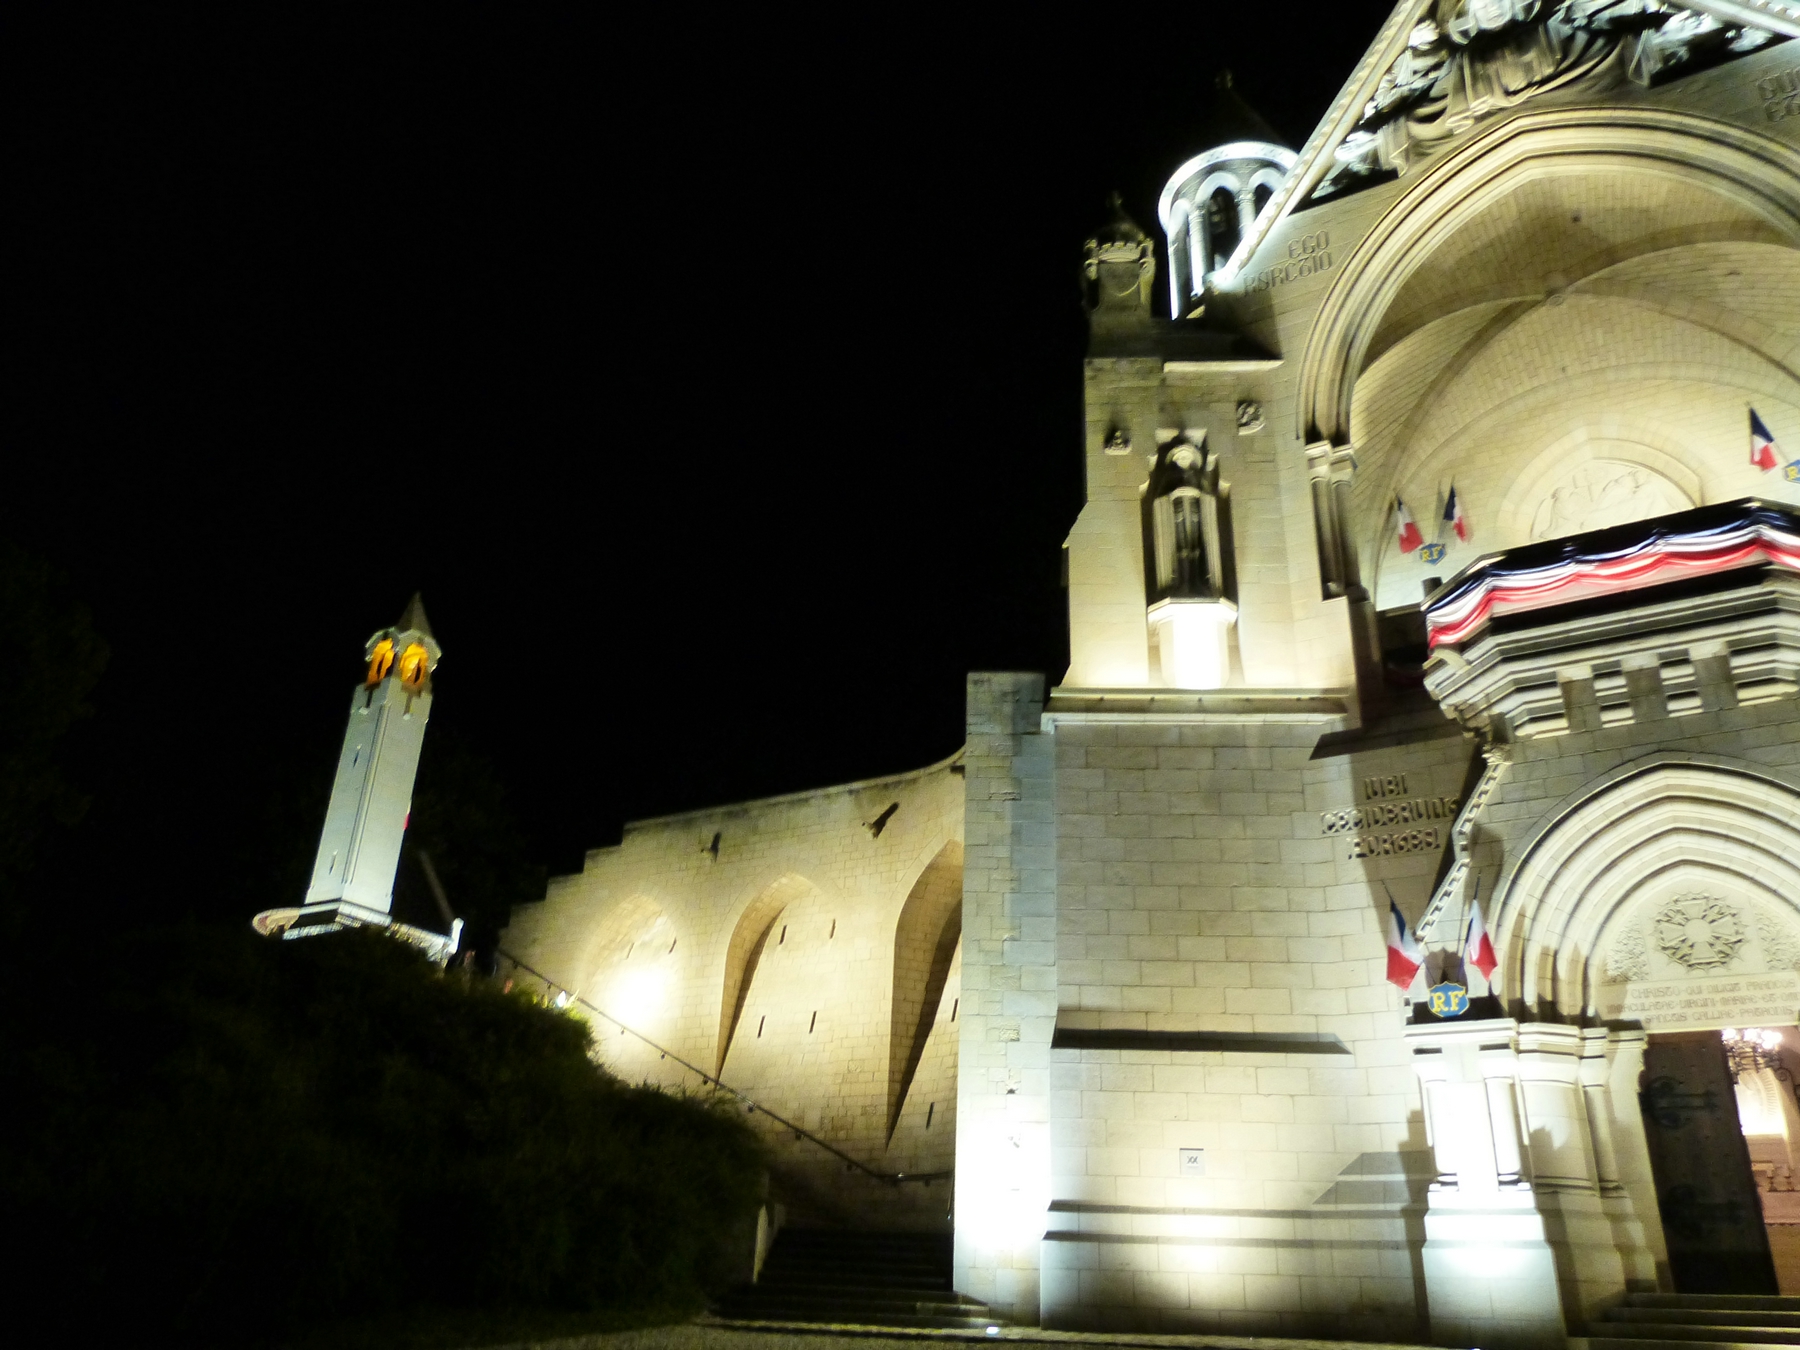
(1187, 525)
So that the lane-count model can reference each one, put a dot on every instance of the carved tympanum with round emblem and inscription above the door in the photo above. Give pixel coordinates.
(1698, 960)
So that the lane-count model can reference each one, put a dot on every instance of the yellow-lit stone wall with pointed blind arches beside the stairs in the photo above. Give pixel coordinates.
(809, 964)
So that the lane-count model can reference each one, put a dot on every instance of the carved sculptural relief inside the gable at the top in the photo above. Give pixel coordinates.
(1473, 58)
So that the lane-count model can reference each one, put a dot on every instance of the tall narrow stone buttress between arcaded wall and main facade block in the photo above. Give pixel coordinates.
(1009, 994)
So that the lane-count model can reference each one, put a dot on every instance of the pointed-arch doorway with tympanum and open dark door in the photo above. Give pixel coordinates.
(1668, 897)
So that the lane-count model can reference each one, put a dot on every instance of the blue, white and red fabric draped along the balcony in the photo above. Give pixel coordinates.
(1671, 548)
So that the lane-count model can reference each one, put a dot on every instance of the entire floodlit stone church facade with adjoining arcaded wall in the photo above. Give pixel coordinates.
(1545, 258)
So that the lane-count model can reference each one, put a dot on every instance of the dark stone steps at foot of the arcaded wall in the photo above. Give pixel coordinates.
(838, 1277)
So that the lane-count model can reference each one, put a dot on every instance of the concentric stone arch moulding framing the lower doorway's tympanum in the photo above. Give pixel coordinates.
(1660, 827)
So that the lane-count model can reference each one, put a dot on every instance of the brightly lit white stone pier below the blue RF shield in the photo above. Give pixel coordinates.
(1491, 1279)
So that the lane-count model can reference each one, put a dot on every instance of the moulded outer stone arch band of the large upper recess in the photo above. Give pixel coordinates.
(1754, 177)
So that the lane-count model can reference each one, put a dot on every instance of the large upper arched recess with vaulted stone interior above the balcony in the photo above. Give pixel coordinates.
(1565, 321)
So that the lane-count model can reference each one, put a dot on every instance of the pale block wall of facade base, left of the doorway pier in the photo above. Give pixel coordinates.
(1210, 877)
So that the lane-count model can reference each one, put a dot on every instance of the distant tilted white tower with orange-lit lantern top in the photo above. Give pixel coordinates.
(372, 798)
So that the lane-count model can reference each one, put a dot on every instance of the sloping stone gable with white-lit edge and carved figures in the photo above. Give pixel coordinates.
(1443, 67)
